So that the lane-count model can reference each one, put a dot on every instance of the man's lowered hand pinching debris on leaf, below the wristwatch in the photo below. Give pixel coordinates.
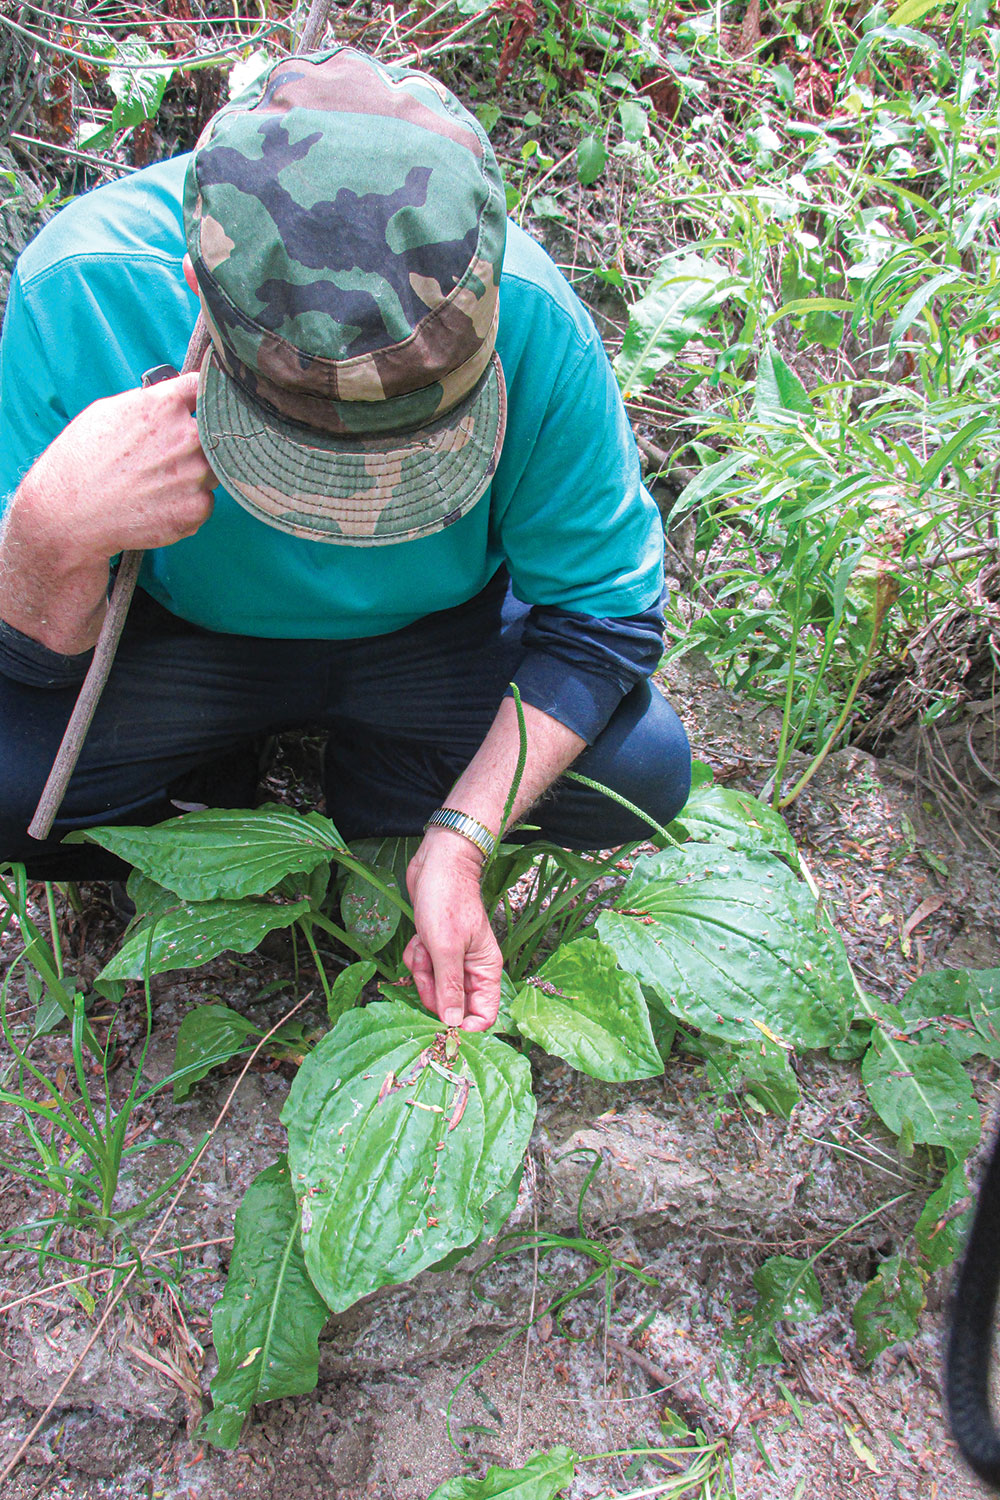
(455, 959)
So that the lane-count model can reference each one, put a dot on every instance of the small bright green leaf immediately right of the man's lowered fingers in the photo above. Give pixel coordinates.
(584, 1009)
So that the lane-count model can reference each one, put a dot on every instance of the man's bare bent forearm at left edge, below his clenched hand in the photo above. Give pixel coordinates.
(49, 592)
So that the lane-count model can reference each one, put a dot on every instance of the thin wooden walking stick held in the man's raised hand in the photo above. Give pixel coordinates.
(94, 685)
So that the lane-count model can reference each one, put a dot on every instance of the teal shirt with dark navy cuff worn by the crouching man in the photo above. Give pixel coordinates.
(100, 298)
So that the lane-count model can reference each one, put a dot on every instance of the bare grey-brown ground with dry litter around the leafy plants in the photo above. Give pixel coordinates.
(693, 1192)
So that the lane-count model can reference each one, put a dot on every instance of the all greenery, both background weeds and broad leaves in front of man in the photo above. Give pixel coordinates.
(788, 221)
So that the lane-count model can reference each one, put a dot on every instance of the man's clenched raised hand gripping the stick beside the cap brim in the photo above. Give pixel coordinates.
(125, 475)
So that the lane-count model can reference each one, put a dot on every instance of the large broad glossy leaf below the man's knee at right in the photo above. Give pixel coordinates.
(732, 944)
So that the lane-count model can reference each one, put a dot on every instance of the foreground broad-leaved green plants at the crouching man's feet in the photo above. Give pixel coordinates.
(413, 1136)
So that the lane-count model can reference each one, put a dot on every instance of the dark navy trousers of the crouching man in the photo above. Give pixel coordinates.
(404, 715)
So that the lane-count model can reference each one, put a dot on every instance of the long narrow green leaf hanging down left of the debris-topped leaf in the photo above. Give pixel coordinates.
(266, 1327)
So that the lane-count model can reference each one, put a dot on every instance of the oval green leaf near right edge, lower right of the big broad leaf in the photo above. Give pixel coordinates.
(923, 1093)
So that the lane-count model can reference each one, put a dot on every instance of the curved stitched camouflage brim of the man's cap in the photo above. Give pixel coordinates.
(361, 493)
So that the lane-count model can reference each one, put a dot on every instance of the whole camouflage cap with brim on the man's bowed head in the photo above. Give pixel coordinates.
(347, 224)
